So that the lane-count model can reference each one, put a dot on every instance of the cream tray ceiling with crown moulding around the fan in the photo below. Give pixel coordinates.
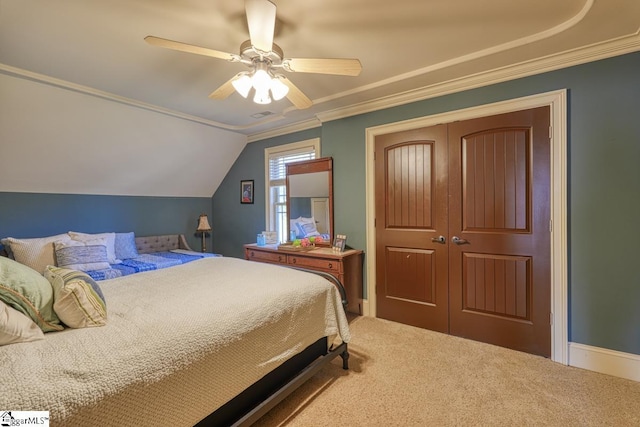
(409, 49)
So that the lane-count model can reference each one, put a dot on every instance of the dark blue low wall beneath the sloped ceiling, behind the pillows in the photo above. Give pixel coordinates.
(25, 215)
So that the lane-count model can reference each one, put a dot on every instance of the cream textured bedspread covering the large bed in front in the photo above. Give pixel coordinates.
(210, 327)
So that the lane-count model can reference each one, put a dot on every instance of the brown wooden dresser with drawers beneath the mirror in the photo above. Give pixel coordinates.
(345, 266)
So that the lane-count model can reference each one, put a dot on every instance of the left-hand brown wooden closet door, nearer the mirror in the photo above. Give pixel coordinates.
(411, 215)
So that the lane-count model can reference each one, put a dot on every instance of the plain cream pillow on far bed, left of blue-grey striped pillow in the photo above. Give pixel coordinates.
(35, 253)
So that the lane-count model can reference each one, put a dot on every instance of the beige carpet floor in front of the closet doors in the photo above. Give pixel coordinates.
(405, 376)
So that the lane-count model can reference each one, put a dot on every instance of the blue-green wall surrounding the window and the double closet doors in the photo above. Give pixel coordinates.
(604, 187)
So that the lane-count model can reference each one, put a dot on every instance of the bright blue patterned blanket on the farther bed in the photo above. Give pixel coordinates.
(147, 262)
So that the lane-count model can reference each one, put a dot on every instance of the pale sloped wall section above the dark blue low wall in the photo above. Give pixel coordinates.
(55, 140)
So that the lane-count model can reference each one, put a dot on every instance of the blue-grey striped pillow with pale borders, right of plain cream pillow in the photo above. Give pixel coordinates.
(87, 255)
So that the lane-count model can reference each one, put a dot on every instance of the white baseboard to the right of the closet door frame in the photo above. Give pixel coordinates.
(605, 361)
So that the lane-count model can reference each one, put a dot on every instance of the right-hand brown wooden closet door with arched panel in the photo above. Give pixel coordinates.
(499, 274)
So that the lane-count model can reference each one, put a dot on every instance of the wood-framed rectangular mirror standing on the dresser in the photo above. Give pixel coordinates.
(310, 199)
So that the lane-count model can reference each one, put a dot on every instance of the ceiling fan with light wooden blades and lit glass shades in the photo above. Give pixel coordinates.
(264, 59)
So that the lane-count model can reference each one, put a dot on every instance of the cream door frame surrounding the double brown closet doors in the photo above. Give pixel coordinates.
(557, 100)
